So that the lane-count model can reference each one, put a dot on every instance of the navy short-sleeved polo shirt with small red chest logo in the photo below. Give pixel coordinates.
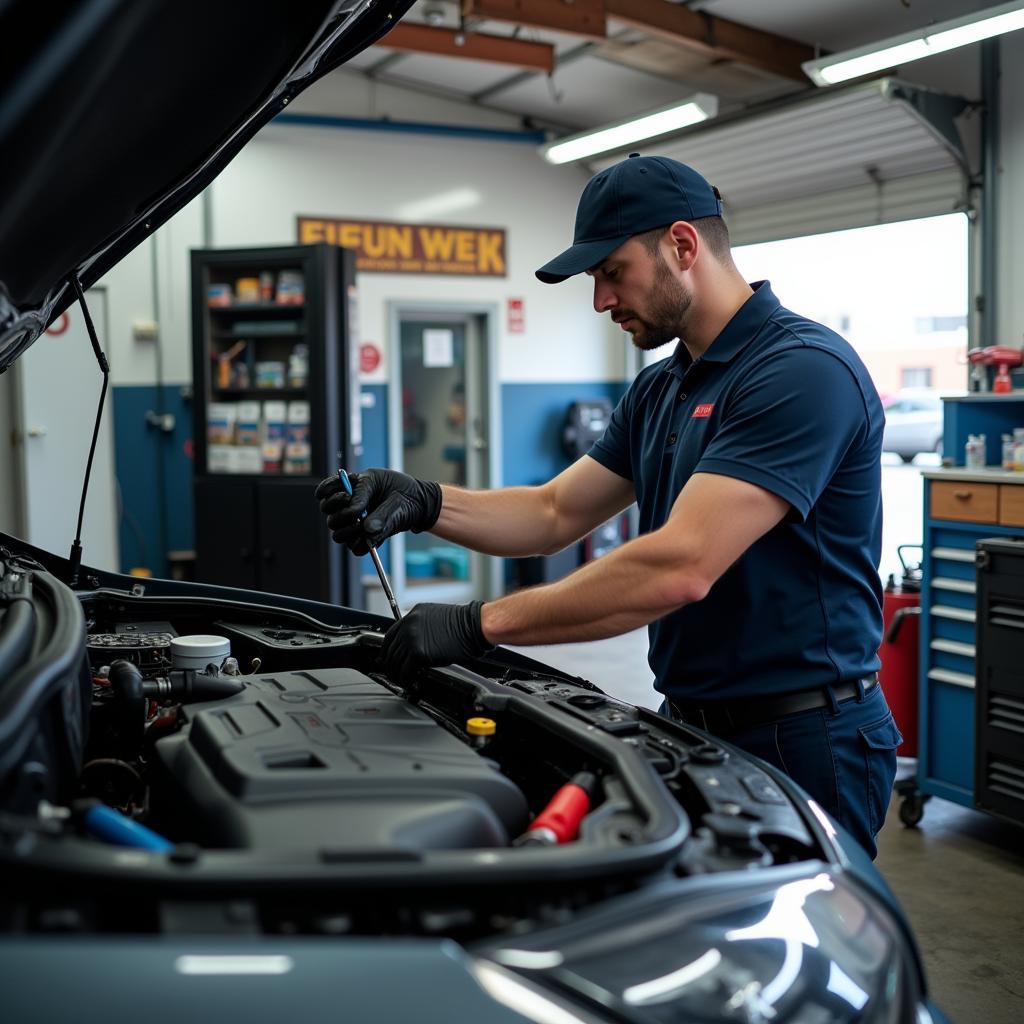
(785, 404)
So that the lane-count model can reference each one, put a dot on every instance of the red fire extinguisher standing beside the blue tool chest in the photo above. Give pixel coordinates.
(901, 613)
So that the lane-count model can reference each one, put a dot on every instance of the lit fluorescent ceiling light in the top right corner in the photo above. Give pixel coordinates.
(915, 46)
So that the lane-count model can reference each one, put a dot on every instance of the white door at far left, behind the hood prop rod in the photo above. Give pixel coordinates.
(58, 391)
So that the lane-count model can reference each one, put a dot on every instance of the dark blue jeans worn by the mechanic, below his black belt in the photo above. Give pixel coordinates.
(844, 756)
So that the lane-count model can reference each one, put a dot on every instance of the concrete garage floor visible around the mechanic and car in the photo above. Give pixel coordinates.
(960, 876)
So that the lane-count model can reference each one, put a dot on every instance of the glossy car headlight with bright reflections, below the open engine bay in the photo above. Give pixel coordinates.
(808, 948)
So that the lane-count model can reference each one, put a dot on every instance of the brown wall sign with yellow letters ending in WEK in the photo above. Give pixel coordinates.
(390, 248)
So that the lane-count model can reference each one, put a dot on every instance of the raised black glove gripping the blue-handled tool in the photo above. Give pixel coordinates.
(393, 502)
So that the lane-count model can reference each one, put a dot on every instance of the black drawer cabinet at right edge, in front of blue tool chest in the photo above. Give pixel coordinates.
(999, 786)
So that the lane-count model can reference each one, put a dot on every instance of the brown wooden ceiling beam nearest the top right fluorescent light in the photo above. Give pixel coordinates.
(715, 37)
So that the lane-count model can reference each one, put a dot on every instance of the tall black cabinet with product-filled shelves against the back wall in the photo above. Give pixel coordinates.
(263, 531)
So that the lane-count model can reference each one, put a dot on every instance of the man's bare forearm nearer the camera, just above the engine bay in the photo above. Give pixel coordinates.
(631, 587)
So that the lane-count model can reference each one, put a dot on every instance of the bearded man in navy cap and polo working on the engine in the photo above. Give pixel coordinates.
(753, 454)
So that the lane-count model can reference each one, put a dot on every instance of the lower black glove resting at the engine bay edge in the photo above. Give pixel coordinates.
(435, 634)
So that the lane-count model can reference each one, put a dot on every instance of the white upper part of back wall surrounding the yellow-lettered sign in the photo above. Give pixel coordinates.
(289, 170)
